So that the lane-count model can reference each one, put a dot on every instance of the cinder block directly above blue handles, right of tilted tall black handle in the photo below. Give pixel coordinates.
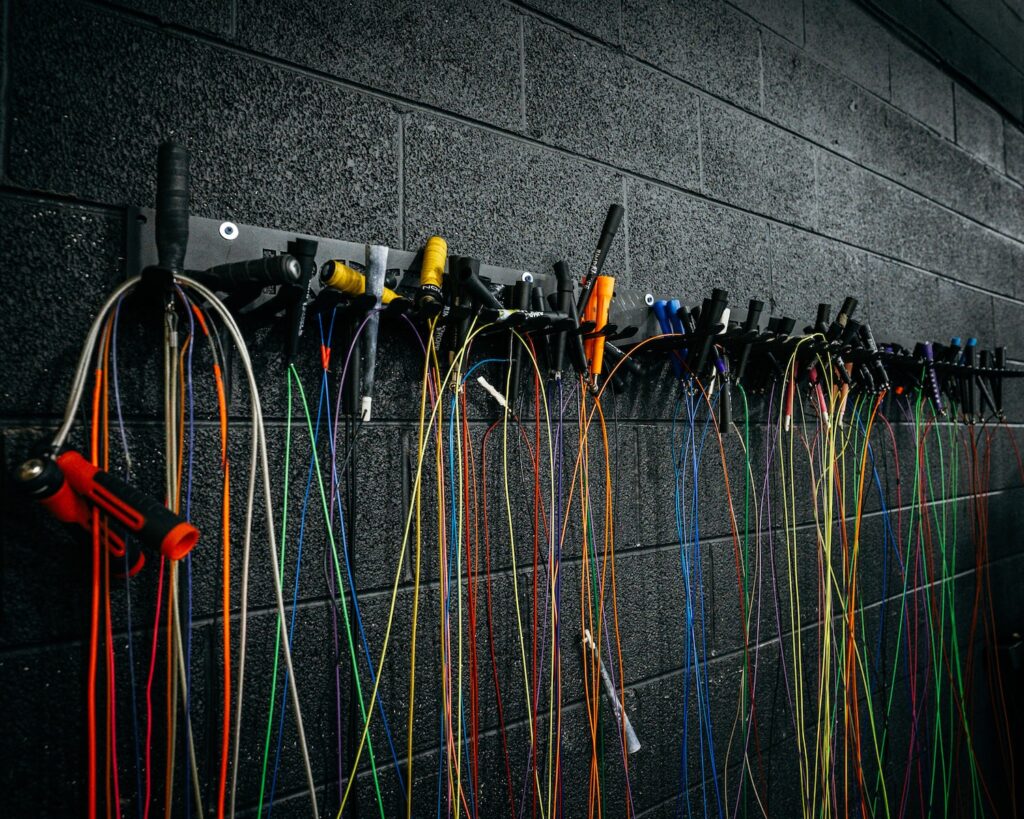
(681, 247)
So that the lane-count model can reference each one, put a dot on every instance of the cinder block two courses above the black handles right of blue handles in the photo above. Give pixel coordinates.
(755, 165)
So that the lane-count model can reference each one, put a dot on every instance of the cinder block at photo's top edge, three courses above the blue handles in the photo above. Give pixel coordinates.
(706, 44)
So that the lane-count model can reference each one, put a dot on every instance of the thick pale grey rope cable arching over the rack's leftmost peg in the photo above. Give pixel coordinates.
(259, 451)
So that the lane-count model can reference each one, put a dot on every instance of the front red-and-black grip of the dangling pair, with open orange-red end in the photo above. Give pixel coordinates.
(158, 528)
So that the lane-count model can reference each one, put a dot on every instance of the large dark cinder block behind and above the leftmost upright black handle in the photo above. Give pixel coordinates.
(78, 126)
